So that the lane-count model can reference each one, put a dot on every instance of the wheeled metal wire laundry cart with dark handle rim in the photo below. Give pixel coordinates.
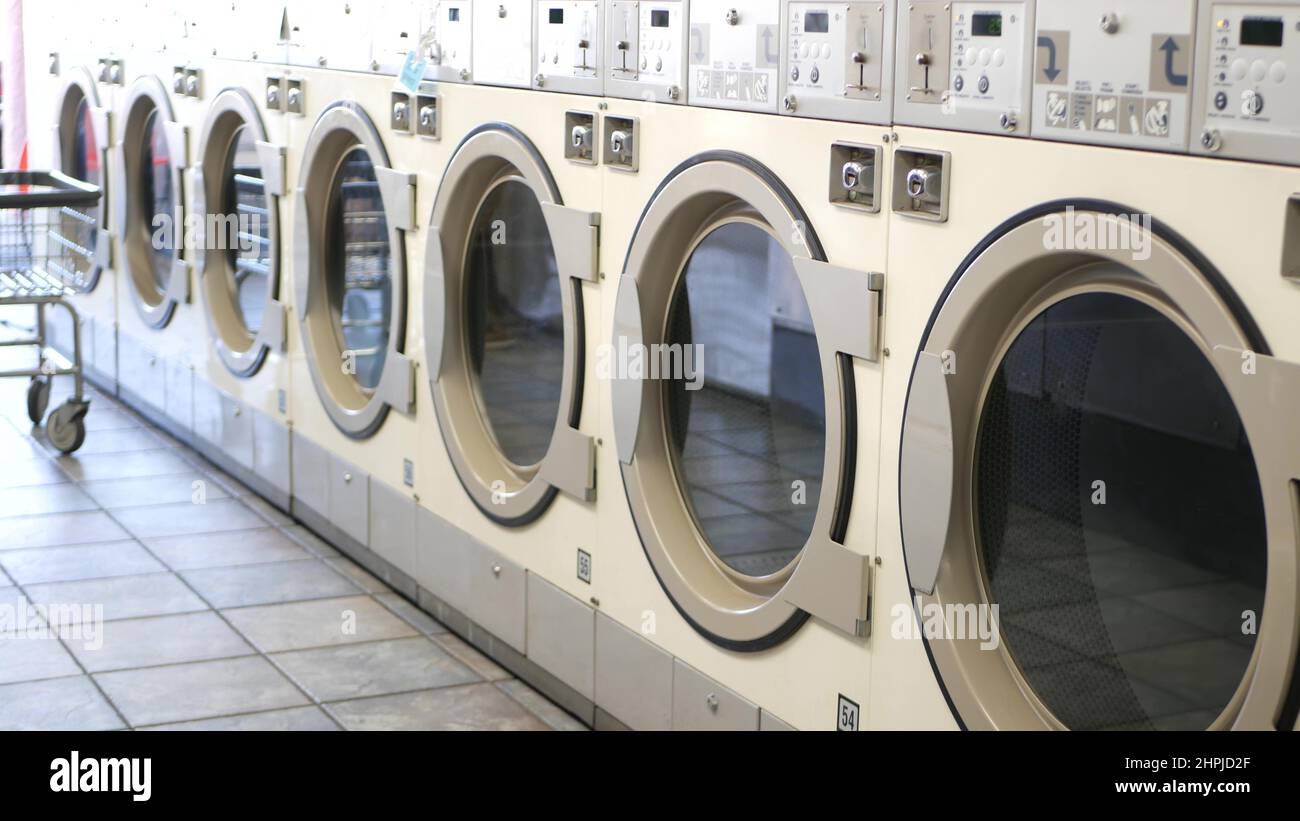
(41, 214)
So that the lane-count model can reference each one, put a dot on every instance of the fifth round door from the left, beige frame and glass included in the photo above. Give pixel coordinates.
(505, 329)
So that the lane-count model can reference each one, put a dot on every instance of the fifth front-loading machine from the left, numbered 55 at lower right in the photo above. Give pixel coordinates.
(510, 318)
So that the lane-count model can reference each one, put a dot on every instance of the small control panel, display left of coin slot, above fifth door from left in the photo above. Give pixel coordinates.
(567, 46)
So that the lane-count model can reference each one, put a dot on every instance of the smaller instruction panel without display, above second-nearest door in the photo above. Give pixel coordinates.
(735, 54)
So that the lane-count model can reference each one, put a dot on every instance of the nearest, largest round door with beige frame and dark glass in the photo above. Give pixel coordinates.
(1108, 524)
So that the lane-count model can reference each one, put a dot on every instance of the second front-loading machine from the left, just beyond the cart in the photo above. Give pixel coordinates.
(158, 116)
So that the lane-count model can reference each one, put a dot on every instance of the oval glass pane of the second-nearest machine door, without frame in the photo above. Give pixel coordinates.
(747, 428)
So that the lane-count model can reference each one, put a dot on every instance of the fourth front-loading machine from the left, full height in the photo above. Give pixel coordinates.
(354, 171)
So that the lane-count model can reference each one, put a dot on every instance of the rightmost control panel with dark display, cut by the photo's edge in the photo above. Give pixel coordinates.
(1249, 82)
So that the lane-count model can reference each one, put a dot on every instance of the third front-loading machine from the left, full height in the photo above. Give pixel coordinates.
(242, 284)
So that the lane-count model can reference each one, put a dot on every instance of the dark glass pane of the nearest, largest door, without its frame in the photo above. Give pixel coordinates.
(1121, 527)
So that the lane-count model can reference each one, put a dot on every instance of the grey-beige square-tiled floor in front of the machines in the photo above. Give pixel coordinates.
(223, 615)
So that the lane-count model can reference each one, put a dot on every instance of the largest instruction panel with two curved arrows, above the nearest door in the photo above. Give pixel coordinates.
(1115, 72)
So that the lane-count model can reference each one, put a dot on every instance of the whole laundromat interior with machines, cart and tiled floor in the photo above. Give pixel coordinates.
(651, 364)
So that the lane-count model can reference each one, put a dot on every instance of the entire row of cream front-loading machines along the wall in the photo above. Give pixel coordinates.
(713, 419)
